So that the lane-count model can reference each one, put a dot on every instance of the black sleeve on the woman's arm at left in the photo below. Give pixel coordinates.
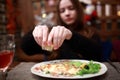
(29, 45)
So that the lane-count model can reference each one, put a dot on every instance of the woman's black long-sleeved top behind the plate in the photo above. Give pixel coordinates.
(70, 49)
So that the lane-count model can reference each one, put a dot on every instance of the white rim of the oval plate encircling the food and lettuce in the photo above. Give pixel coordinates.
(101, 72)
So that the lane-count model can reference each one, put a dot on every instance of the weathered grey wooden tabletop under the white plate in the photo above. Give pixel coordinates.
(22, 72)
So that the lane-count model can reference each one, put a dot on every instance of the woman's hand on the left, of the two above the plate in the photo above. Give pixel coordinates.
(40, 34)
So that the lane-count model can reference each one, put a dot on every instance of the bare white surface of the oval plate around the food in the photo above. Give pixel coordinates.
(40, 73)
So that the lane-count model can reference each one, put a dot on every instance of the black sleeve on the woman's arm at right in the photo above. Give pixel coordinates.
(87, 47)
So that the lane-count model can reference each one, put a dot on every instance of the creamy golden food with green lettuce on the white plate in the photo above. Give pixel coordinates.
(69, 68)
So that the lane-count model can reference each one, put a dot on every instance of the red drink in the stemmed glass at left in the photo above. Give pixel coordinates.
(5, 58)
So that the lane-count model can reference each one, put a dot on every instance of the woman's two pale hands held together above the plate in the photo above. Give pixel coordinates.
(55, 38)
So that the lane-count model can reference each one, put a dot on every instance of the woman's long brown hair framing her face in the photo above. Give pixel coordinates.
(78, 25)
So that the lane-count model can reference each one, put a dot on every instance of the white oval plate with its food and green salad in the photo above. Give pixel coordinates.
(69, 69)
